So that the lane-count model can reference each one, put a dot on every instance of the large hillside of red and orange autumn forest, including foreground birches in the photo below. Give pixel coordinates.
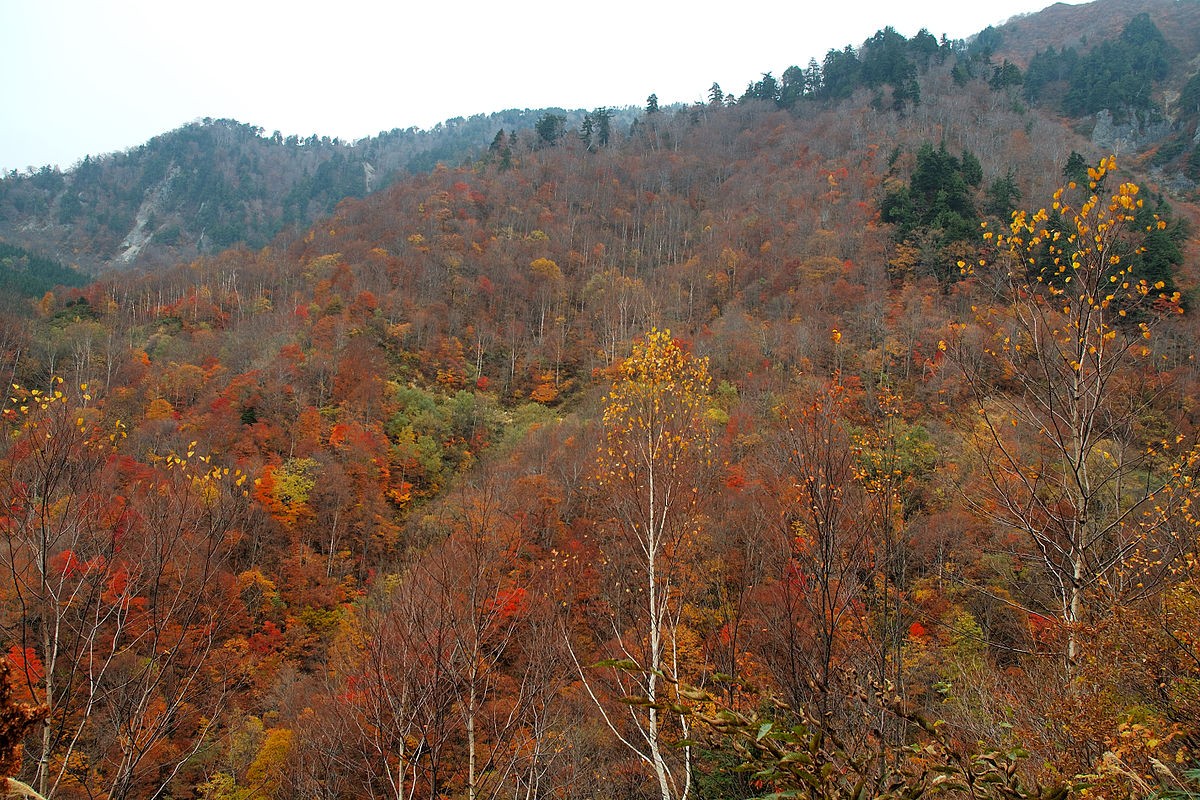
(836, 440)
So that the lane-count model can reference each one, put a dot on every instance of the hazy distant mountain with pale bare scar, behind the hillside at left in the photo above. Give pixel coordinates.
(215, 184)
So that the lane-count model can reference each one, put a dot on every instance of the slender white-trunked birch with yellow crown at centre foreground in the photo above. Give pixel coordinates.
(651, 467)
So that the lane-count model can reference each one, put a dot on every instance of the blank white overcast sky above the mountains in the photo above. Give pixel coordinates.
(88, 77)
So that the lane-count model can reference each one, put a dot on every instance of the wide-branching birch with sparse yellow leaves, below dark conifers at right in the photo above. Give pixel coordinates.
(1061, 389)
